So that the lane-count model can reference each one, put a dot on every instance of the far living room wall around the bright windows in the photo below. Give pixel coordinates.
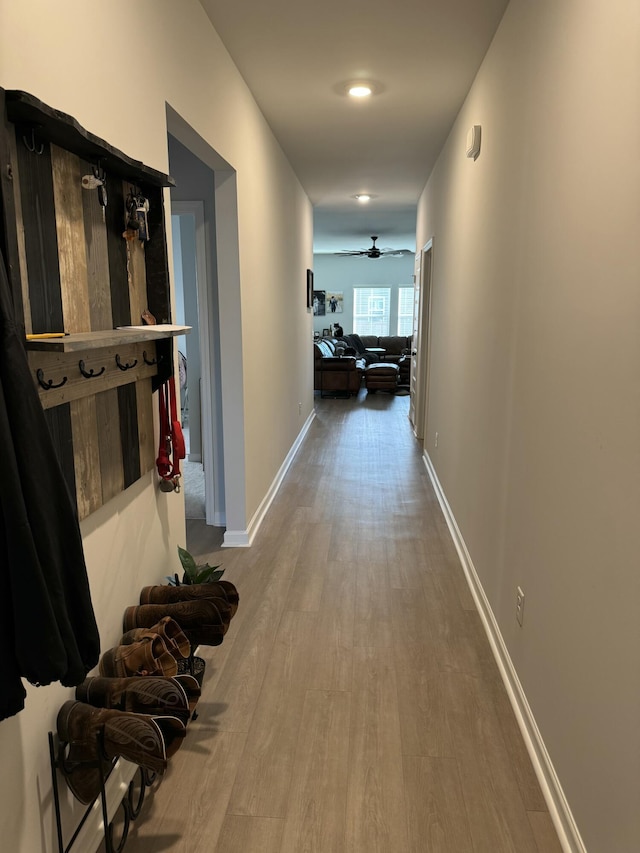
(333, 273)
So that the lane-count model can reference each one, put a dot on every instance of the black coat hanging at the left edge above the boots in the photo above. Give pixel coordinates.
(48, 630)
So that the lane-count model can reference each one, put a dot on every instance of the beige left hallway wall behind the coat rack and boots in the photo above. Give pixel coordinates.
(80, 61)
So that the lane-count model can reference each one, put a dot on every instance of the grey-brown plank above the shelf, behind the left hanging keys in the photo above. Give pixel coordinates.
(97, 256)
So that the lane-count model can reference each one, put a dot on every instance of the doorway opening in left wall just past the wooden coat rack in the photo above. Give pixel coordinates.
(207, 288)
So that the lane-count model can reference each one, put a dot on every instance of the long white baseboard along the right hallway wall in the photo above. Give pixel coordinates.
(559, 809)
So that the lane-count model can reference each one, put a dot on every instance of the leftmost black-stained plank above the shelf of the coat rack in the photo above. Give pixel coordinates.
(41, 242)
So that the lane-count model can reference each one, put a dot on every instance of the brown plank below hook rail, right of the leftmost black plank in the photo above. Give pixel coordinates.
(84, 424)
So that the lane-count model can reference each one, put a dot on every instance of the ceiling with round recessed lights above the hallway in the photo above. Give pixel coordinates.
(294, 55)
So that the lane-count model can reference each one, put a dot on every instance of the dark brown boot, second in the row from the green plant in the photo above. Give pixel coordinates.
(200, 620)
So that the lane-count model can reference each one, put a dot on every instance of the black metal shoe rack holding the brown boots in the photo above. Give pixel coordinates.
(131, 803)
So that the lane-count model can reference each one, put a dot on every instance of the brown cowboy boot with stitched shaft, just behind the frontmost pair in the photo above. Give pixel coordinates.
(153, 695)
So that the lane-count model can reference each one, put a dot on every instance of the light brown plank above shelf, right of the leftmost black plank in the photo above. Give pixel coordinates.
(67, 193)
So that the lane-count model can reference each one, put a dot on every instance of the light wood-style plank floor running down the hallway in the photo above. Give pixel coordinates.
(354, 705)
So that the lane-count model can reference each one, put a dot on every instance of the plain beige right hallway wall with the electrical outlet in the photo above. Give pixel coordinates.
(535, 378)
